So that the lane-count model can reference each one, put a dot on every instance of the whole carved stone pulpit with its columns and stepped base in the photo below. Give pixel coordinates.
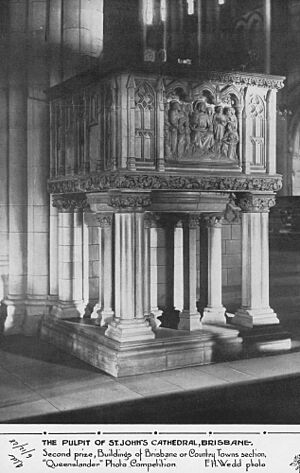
(146, 164)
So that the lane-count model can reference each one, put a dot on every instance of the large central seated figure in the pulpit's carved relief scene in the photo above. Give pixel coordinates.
(201, 127)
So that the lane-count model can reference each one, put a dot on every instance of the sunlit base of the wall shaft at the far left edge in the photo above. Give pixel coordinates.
(12, 316)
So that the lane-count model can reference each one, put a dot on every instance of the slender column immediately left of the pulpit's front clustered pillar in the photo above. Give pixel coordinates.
(106, 270)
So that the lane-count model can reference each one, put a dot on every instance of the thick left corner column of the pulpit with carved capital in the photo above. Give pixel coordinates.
(70, 254)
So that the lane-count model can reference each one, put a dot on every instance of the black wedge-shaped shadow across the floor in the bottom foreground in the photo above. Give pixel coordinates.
(274, 401)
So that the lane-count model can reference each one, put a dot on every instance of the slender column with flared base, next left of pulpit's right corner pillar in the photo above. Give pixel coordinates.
(214, 312)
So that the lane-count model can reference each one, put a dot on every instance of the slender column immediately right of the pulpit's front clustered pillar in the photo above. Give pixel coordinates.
(150, 281)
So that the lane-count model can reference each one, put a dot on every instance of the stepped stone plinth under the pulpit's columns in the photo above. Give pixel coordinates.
(169, 350)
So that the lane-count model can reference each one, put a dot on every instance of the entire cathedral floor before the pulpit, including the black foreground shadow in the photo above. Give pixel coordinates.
(41, 384)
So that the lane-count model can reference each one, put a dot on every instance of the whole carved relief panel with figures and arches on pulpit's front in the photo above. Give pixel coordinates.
(202, 124)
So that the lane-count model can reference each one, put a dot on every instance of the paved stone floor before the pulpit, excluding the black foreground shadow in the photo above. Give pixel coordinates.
(37, 379)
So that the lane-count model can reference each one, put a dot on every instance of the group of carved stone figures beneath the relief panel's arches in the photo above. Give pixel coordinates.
(199, 130)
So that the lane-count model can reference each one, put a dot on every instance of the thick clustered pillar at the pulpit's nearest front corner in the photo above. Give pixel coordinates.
(129, 323)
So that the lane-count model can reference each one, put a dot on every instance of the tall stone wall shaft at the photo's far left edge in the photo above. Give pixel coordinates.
(17, 162)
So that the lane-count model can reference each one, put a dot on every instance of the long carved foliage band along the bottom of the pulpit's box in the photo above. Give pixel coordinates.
(104, 182)
